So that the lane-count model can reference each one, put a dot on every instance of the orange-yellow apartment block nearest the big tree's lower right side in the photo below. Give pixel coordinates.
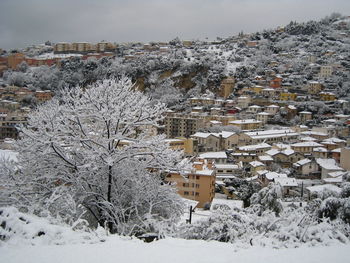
(197, 184)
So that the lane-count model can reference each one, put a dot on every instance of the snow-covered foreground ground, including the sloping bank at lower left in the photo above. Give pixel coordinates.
(38, 240)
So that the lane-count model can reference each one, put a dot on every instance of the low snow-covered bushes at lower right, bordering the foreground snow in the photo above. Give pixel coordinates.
(294, 227)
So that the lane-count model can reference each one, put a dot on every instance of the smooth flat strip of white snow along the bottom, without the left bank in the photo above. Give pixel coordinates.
(116, 249)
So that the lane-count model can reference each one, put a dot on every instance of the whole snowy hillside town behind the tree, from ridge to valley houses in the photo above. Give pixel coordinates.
(264, 128)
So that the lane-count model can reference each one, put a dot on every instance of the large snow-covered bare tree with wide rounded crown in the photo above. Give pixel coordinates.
(91, 150)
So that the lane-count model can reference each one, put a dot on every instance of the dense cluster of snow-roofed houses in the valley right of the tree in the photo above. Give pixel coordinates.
(244, 146)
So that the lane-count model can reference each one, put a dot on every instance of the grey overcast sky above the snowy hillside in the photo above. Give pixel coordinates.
(26, 22)
